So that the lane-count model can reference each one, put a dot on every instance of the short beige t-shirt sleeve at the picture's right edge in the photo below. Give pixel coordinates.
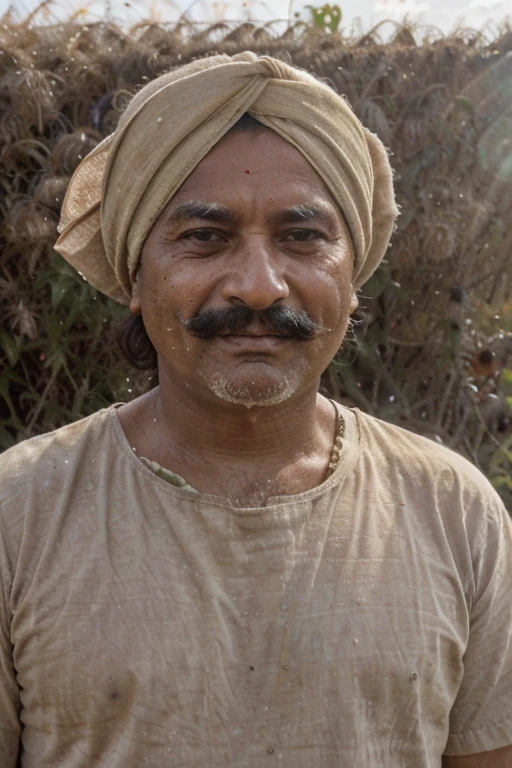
(481, 718)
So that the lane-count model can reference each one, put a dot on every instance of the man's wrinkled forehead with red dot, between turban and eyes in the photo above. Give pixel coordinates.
(255, 175)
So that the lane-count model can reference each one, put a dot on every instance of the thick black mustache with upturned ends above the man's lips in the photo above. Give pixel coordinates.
(280, 321)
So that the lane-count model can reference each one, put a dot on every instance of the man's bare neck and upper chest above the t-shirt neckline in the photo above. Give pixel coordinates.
(210, 442)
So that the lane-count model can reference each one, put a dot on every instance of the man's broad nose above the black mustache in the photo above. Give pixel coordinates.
(256, 277)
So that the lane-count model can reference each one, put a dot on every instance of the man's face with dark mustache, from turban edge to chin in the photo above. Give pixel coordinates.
(253, 227)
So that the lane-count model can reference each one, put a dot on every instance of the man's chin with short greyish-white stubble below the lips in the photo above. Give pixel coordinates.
(252, 394)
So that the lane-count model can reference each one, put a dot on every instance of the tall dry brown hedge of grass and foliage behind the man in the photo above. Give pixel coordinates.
(431, 348)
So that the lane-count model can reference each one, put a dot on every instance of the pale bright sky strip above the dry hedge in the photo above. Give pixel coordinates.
(358, 15)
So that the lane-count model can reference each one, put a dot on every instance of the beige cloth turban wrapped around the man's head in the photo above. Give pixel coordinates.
(122, 186)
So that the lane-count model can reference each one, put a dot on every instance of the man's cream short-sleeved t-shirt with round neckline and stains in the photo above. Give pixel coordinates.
(366, 622)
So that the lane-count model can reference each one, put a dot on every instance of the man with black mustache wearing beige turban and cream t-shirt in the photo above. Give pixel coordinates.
(232, 570)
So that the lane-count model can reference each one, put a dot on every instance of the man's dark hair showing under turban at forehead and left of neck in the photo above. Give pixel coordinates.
(132, 337)
